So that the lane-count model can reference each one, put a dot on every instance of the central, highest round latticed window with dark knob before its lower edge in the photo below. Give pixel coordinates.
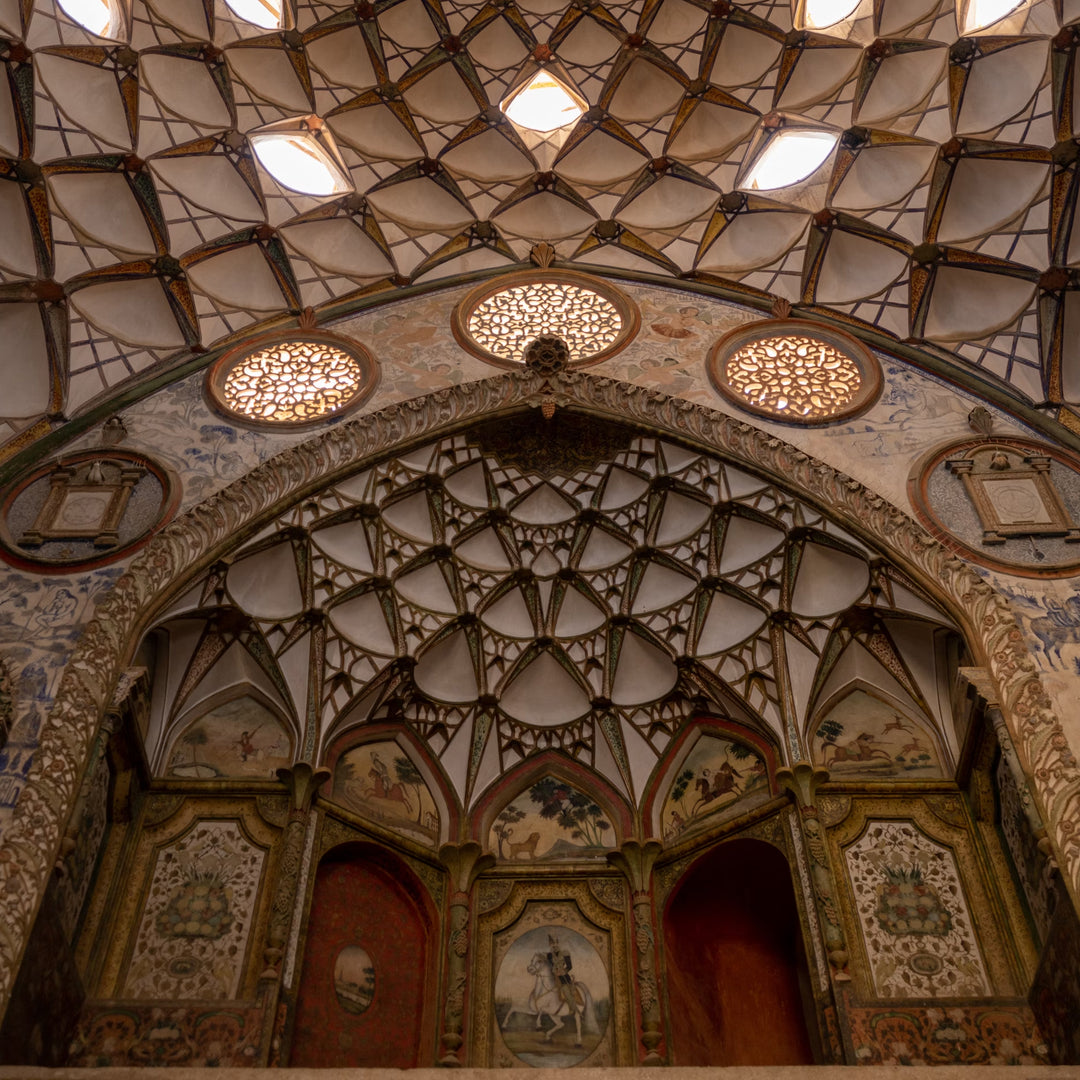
(498, 321)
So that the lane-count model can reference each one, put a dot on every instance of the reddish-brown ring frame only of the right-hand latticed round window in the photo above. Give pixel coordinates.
(870, 370)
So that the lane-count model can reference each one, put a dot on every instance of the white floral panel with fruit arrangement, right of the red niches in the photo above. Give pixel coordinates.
(913, 915)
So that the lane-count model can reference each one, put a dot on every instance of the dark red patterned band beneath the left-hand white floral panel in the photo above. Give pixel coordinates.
(148, 1036)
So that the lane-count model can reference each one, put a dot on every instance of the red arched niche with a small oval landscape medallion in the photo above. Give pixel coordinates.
(368, 983)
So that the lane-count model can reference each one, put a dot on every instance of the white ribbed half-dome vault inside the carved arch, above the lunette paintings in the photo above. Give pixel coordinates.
(503, 600)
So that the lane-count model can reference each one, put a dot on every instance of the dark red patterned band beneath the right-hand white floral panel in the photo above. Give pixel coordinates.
(971, 1035)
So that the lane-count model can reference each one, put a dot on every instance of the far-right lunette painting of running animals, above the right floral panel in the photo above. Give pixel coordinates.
(862, 736)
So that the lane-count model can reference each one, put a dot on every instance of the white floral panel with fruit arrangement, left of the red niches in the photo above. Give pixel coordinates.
(193, 935)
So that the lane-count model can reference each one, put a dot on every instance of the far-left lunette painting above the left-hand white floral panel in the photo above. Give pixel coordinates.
(241, 738)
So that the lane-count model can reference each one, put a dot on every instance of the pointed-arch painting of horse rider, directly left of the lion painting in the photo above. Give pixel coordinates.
(382, 782)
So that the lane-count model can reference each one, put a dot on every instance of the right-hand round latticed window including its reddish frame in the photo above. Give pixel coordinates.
(795, 372)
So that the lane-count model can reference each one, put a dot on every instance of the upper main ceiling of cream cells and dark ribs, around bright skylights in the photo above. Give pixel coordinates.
(137, 227)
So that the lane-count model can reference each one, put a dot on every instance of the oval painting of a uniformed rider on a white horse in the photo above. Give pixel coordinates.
(552, 997)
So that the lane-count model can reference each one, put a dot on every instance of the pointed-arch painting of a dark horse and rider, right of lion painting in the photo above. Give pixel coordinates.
(717, 775)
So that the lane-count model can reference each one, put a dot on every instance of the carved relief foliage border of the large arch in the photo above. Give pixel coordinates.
(187, 546)
